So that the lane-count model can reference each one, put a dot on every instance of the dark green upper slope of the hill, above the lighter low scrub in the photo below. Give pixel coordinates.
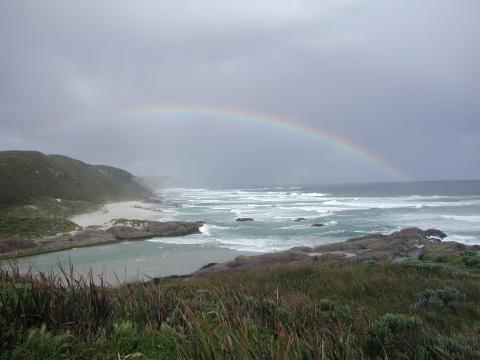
(26, 175)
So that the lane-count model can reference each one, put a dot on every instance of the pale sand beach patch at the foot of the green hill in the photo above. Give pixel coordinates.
(121, 210)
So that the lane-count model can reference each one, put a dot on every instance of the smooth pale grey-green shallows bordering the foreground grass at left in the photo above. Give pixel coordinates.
(157, 260)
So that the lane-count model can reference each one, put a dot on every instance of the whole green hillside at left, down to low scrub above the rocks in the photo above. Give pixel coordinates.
(38, 192)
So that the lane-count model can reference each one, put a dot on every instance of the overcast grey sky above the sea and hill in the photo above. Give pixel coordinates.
(397, 81)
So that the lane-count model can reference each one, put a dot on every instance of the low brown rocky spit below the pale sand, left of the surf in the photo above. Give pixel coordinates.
(119, 230)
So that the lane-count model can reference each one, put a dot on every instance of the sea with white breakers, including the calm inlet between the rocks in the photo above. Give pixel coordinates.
(345, 210)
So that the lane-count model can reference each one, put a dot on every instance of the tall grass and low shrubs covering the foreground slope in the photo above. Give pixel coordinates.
(425, 309)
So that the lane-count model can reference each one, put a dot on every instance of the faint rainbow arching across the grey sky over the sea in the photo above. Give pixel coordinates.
(276, 122)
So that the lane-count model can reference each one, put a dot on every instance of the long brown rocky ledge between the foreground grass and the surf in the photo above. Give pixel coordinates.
(410, 243)
